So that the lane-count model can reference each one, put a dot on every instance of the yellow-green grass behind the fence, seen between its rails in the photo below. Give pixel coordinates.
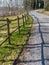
(13, 26)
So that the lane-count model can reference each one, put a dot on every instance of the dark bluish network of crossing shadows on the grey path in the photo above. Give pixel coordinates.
(31, 46)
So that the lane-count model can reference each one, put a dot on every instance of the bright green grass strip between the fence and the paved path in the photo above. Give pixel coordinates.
(9, 52)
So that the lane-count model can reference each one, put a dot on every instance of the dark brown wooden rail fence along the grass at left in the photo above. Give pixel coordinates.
(24, 18)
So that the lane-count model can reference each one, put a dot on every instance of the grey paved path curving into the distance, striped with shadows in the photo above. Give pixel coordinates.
(37, 50)
